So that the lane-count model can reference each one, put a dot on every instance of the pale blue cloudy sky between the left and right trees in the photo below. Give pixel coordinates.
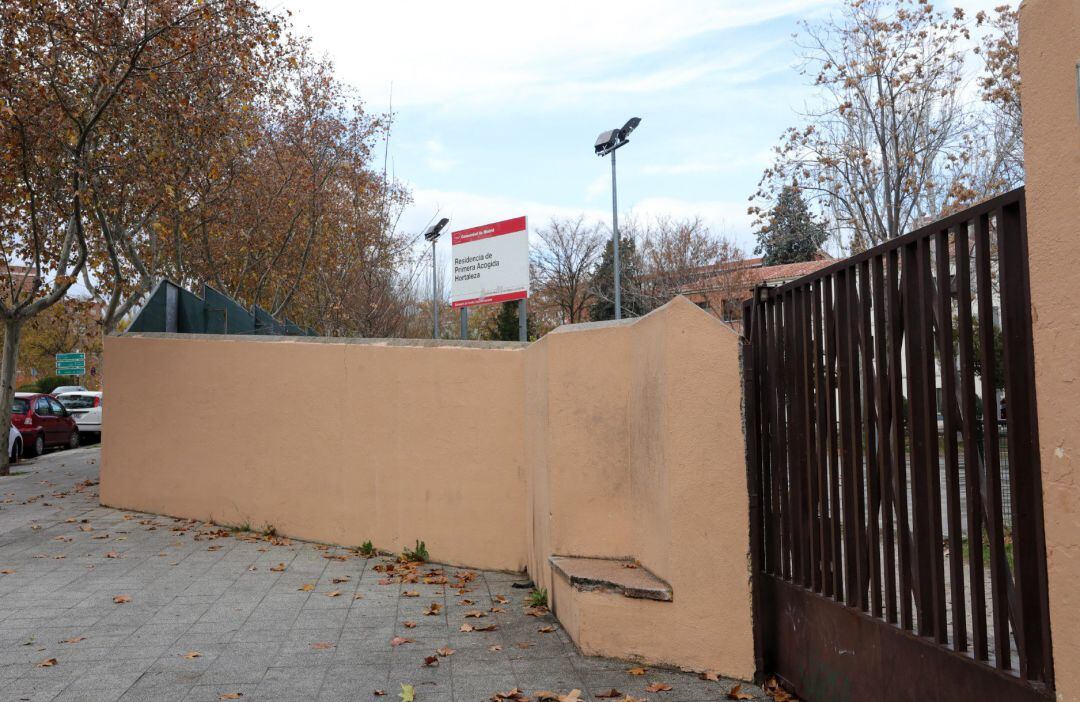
(498, 104)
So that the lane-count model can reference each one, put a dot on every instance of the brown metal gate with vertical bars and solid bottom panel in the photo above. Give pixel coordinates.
(896, 495)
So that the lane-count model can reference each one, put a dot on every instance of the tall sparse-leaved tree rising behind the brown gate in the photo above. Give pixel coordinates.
(876, 154)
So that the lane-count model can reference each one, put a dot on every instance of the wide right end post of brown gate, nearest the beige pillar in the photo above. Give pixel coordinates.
(1030, 547)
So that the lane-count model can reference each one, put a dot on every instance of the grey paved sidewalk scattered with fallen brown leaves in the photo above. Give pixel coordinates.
(100, 604)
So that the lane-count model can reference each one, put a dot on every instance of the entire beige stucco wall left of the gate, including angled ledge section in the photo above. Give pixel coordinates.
(610, 440)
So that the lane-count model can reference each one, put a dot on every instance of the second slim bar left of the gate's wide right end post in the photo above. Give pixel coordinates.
(971, 456)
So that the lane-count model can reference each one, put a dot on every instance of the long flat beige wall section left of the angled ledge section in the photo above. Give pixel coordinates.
(329, 442)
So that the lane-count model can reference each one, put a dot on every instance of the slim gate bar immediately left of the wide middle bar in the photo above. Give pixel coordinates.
(898, 437)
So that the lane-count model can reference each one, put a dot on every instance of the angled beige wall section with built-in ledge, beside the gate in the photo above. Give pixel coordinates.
(636, 450)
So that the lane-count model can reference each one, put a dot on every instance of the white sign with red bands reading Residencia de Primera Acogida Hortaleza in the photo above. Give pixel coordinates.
(491, 264)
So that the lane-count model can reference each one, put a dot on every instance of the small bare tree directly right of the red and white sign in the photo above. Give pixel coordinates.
(563, 265)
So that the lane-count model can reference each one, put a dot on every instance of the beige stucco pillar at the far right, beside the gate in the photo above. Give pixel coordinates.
(1050, 51)
